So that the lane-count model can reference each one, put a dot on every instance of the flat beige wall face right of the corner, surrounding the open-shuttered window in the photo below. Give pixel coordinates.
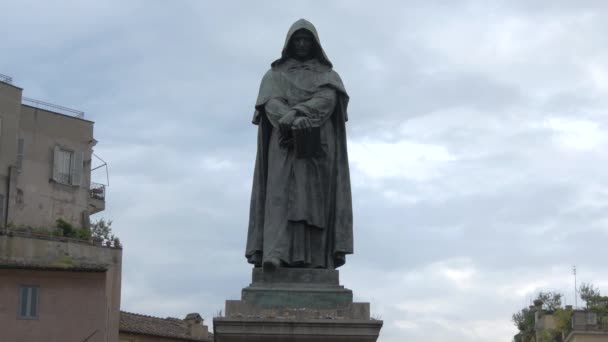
(39, 201)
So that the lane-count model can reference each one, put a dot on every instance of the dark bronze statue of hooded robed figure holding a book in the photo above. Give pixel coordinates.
(301, 210)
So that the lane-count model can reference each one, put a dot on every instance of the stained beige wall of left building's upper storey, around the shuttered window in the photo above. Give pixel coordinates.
(32, 197)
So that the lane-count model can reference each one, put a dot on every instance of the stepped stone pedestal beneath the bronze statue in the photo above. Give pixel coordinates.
(293, 304)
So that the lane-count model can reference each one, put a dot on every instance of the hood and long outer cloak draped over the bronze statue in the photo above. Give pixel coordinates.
(339, 225)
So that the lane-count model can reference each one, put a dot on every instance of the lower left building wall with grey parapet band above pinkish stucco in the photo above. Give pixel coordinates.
(72, 303)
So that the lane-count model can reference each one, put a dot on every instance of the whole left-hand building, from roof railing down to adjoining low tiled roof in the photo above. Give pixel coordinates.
(56, 287)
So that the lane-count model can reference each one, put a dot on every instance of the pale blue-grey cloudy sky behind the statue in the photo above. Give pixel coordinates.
(478, 141)
